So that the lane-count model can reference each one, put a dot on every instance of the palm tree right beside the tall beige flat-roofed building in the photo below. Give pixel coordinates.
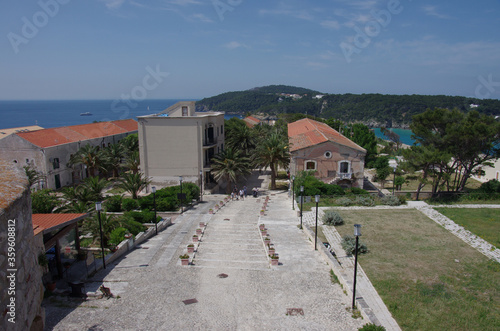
(228, 165)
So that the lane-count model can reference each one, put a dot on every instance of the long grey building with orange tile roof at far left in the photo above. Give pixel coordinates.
(49, 150)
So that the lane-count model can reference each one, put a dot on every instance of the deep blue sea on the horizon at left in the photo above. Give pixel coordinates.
(56, 113)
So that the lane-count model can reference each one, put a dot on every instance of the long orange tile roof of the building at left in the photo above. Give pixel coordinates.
(68, 134)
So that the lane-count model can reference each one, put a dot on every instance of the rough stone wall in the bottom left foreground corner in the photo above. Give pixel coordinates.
(21, 289)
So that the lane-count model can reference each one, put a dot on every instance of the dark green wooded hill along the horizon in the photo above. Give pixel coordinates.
(372, 109)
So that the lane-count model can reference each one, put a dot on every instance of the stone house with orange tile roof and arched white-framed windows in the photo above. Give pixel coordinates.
(335, 159)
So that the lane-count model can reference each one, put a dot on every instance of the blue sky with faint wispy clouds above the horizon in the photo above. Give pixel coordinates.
(173, 49)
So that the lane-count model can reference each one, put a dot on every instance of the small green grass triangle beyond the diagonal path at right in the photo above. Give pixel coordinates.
(484, 223)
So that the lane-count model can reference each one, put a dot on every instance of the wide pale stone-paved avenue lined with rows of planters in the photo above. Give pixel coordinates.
(157, 293)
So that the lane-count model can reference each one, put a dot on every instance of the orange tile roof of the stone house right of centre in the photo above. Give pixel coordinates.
(306, 132)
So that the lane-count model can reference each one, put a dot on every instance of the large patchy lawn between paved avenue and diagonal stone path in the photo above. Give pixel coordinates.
(412, 264)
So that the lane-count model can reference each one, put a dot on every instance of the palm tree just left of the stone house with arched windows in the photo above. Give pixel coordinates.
(273, 152)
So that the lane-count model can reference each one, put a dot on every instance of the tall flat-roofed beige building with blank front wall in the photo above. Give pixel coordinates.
(180, 142)
